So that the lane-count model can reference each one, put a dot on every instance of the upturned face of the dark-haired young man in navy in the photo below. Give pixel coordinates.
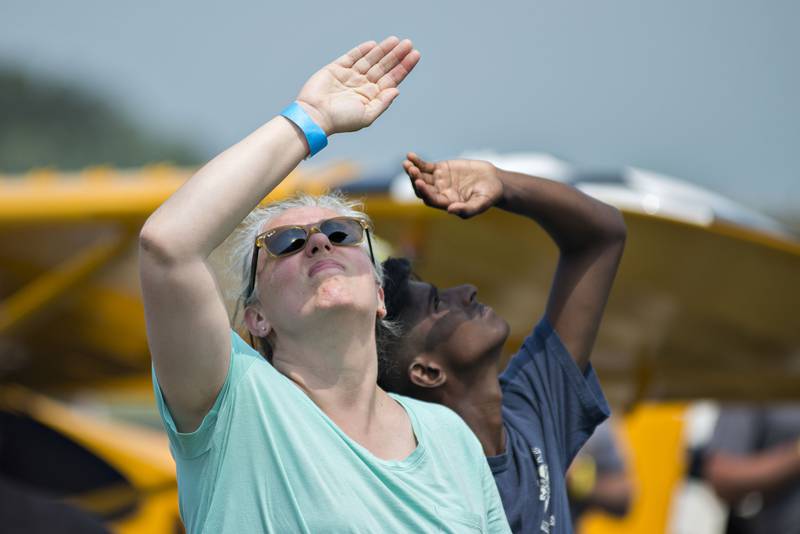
(452, 325)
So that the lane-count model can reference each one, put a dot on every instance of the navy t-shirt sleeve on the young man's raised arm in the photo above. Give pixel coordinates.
(543, 382)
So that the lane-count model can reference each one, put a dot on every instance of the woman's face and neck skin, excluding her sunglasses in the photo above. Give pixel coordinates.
(335, 287)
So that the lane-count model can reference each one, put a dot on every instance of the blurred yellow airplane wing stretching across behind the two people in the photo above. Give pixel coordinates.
(702, 306)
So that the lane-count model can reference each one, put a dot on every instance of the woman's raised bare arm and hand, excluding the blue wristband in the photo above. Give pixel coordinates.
(187, 325)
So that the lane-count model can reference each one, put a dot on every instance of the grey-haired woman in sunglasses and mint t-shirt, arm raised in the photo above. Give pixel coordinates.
(308, 442)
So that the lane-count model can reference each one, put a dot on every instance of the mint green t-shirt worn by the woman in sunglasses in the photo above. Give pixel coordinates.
(267, 459)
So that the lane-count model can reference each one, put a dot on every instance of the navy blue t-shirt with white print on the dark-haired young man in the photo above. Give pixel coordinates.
(550, 408)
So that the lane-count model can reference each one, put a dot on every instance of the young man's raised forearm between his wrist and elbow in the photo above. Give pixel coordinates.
(574, 220)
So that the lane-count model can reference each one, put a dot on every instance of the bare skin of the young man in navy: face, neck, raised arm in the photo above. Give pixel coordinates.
(455, 352)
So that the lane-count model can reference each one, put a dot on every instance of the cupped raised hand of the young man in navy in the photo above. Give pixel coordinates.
(462, 187)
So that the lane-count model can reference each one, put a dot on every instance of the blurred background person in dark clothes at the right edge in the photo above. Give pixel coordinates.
(753, 464)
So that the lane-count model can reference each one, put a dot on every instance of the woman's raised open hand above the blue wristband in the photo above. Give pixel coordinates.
(353, 91)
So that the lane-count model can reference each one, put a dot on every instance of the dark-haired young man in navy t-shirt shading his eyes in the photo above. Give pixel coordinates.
(546, 404)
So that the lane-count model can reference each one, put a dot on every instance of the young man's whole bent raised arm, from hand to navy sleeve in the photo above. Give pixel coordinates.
(590, 235)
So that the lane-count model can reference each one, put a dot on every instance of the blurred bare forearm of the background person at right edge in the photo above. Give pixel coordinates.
(734, 475)
